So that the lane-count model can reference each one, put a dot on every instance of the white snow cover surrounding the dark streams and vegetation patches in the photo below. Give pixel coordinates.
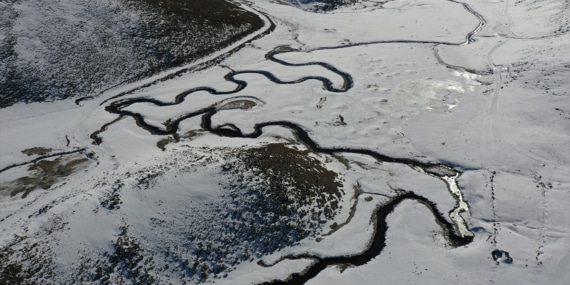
(497, 110)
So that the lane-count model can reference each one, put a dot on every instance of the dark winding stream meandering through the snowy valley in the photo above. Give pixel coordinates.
(457, 232)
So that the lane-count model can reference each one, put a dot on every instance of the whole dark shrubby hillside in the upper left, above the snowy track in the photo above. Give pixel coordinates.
(98, 44)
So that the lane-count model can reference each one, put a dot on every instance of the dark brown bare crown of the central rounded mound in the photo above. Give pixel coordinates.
(294, 180)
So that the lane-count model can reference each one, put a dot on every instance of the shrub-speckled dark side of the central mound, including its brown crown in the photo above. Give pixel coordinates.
(274, 196)
